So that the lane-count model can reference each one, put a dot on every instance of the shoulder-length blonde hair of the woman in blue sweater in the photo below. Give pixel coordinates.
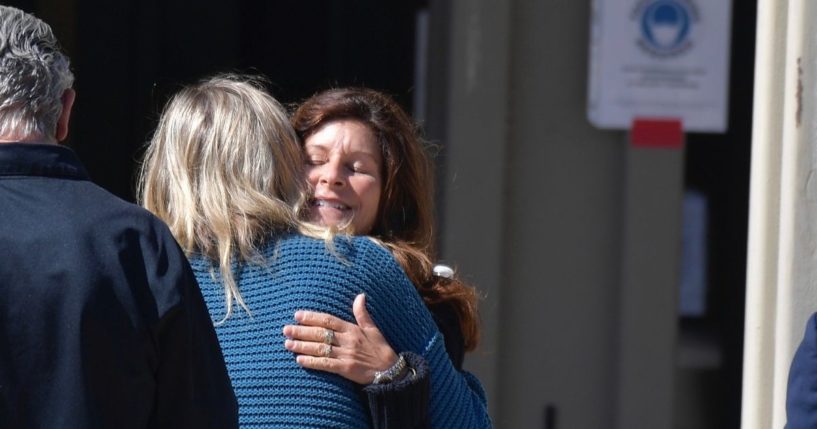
(223, 170)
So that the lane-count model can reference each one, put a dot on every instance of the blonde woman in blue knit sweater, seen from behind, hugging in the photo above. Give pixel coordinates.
(224, 171)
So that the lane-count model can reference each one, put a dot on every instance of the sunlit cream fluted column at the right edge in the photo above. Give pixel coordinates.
(783, 208)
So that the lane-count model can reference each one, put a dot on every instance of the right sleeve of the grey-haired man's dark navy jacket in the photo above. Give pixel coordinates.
(192, 385)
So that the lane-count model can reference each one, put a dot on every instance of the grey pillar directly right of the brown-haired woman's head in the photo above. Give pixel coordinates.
(473, 219)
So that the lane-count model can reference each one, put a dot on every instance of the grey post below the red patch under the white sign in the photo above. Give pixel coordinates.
(648, 320)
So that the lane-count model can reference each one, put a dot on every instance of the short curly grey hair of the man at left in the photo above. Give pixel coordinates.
(34, 74)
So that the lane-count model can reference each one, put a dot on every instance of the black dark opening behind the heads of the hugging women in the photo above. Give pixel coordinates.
(130, 55)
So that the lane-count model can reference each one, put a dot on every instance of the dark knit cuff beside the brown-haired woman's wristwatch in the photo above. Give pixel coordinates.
(402, 404)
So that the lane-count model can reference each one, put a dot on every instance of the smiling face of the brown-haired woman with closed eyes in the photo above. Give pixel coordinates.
(343, 166)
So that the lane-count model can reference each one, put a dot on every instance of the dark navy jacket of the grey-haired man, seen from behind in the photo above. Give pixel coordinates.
(102, 324)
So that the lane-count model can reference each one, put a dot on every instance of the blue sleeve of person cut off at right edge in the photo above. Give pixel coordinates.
(801, 395)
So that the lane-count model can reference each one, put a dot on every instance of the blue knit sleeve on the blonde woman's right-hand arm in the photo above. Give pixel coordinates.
(456, 399)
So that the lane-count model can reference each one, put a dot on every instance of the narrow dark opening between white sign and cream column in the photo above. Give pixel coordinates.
(718, 167)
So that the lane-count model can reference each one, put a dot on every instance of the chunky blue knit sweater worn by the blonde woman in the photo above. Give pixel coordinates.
(301, 273)
